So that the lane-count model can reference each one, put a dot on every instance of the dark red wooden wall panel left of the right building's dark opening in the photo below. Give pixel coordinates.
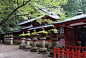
(70, 37)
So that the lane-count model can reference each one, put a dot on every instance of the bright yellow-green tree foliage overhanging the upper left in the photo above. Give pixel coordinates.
(15, 11)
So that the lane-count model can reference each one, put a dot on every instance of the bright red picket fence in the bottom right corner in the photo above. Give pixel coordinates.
(68, 54)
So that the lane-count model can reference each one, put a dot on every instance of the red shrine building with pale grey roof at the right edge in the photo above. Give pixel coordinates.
(74, 31)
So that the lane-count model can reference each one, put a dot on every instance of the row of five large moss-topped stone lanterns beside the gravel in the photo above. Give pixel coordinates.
(42, 34)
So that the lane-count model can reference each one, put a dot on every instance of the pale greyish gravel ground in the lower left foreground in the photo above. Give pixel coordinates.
(12, 51)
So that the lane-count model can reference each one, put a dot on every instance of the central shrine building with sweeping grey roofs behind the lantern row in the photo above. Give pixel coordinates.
(32, 24)
